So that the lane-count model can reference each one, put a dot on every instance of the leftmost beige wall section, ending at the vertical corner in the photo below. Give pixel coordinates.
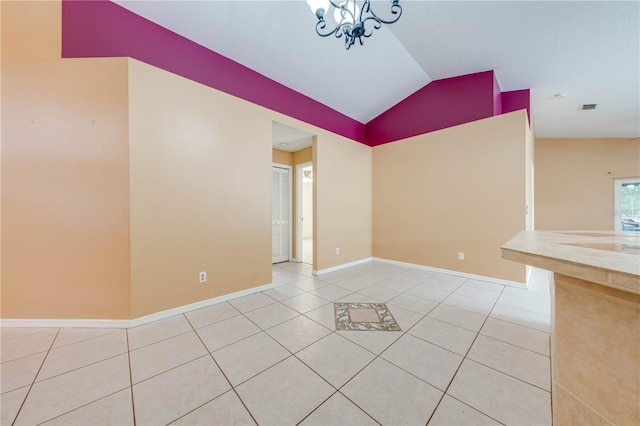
(65, 174)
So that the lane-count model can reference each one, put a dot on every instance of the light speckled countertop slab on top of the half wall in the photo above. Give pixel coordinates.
(603, 257)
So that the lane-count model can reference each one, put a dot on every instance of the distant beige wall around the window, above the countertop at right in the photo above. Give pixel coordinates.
(574, 181)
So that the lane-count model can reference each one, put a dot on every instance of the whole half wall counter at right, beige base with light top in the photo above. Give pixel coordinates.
(595, 321)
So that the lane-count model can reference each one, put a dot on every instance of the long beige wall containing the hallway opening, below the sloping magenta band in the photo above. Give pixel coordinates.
(192, 208)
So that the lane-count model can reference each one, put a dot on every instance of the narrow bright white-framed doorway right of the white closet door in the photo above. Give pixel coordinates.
(304, 210)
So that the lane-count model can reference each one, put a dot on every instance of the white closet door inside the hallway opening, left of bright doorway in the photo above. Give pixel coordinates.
(281, 212)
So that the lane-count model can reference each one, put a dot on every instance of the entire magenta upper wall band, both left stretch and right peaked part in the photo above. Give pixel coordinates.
(100, 28)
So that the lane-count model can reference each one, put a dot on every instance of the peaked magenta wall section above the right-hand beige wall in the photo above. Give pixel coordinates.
(438, 105)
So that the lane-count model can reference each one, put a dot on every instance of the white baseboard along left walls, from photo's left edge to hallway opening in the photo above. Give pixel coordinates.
(97, 323)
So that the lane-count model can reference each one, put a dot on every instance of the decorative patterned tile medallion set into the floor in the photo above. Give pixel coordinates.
(364, 317)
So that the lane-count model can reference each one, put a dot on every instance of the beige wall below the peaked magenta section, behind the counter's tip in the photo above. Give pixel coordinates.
(460, 189)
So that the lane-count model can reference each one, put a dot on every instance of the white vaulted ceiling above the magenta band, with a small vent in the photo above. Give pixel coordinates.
(589, 50)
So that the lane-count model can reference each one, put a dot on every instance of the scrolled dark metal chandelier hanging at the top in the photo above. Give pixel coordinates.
(352, 21)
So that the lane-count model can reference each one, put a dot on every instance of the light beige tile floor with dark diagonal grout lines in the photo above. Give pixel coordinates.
(470, 352)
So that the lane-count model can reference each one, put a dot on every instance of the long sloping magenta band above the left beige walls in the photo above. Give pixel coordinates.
(101, 28)
